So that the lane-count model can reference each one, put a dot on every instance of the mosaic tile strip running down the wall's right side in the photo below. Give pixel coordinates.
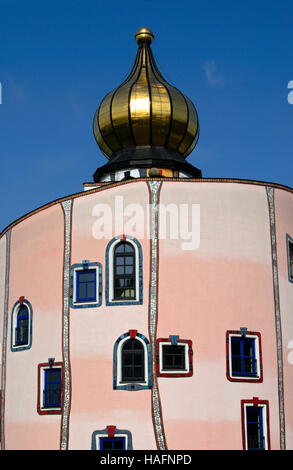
(271, 202)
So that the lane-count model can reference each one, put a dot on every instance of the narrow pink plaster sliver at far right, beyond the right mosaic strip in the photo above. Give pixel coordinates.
(284, 226)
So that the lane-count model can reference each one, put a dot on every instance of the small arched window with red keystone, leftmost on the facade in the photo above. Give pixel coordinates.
(21, 325)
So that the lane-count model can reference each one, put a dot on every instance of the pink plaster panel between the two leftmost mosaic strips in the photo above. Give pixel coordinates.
(36, 267)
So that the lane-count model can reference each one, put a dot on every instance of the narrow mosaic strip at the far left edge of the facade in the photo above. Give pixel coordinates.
(4, 340)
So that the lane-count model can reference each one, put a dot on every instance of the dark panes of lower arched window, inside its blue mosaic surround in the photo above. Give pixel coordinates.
(132, 361)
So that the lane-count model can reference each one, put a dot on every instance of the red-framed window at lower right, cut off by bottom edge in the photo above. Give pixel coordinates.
(255, 424)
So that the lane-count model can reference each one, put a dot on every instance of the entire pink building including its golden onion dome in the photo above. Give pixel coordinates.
(153, 310)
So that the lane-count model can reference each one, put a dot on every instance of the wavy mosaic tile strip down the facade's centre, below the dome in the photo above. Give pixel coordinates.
(154, 188)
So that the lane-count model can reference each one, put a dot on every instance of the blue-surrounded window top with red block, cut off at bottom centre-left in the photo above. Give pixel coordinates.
(111, 438)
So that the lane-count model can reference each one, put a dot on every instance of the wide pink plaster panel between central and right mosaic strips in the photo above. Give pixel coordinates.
(224, 285)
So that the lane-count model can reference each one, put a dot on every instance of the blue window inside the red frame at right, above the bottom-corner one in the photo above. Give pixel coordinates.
(243, 356)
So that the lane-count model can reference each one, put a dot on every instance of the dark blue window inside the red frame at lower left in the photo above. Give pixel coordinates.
(52, 392)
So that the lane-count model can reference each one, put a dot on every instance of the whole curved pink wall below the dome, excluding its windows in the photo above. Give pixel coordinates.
(198, 294)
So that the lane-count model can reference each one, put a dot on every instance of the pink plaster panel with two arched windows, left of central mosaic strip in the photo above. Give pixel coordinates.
(94, 331)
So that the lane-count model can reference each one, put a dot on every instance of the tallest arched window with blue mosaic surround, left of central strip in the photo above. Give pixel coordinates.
(123, 271)
